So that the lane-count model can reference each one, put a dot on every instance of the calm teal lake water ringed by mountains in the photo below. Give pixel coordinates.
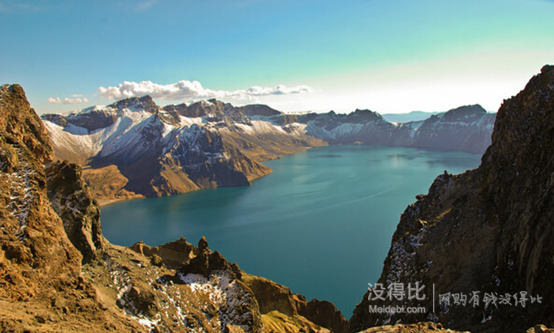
(320, 224)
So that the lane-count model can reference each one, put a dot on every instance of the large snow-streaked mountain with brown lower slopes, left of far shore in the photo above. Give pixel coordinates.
(145, 150)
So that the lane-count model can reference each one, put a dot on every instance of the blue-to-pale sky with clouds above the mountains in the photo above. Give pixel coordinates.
(388, 56)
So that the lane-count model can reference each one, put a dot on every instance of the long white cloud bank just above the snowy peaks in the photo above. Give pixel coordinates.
(184, 89)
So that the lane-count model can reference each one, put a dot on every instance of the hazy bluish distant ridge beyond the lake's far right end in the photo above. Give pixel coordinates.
(467, 128)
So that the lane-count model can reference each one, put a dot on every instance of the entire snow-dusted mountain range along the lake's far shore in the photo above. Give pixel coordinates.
(135, 148)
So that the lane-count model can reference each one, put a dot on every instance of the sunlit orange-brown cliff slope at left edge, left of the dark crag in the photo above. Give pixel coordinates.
(40, 270)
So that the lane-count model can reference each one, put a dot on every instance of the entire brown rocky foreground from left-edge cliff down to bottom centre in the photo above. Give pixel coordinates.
(58, 273)
